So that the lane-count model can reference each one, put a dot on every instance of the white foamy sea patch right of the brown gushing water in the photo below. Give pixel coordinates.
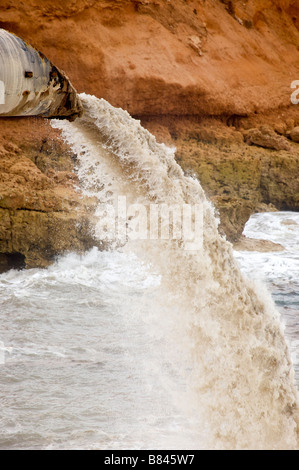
(278, 270)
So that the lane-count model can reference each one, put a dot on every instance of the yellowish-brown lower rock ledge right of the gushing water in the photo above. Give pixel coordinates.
(239, 178)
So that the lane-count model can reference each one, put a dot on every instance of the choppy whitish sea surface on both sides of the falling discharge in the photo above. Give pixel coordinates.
(84, 356)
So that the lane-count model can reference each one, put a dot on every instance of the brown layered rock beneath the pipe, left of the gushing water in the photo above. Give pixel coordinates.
(41, 213)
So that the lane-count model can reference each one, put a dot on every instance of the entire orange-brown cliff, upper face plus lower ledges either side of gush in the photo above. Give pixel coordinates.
(212, 77)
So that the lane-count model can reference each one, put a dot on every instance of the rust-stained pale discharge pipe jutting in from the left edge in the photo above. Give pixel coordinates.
(30, 85)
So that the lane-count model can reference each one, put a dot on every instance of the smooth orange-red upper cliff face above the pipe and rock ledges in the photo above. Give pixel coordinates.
(181, 57)
